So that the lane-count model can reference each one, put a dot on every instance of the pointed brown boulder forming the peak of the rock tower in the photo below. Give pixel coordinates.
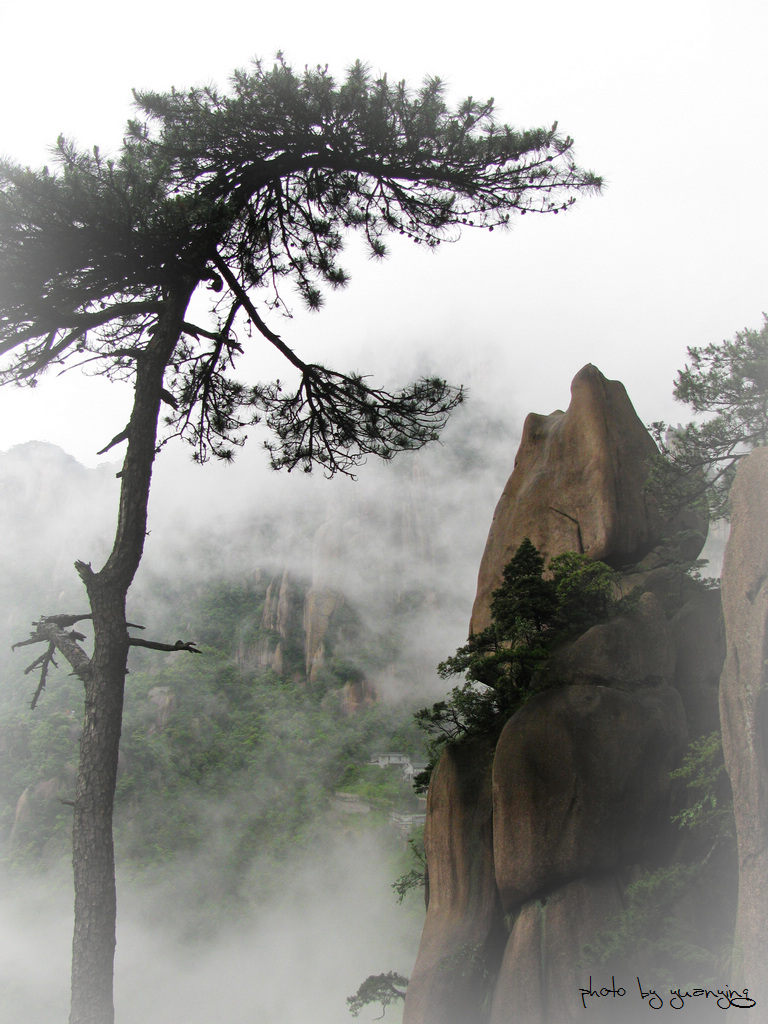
(578, 485)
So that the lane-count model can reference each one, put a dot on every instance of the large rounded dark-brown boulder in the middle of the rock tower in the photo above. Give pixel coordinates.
(581, 786)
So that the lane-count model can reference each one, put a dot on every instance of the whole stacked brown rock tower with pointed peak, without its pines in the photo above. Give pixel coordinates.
(531, 845)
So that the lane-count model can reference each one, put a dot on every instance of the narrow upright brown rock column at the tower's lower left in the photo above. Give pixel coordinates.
(463, 933)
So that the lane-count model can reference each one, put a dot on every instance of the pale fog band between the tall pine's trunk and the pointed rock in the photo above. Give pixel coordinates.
(418, 524)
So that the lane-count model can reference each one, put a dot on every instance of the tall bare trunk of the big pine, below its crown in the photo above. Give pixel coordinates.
(94, 858)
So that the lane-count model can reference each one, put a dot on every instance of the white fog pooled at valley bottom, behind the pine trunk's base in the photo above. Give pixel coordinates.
(295, 960)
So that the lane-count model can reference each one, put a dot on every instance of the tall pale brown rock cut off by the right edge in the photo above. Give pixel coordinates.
(744, 709)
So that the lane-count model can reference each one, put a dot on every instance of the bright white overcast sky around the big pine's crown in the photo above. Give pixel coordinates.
(667, 100)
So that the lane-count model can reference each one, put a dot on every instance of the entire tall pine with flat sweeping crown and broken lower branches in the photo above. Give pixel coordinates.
(235, 194)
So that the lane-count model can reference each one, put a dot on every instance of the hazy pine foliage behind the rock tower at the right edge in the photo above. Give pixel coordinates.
(699, 461)
